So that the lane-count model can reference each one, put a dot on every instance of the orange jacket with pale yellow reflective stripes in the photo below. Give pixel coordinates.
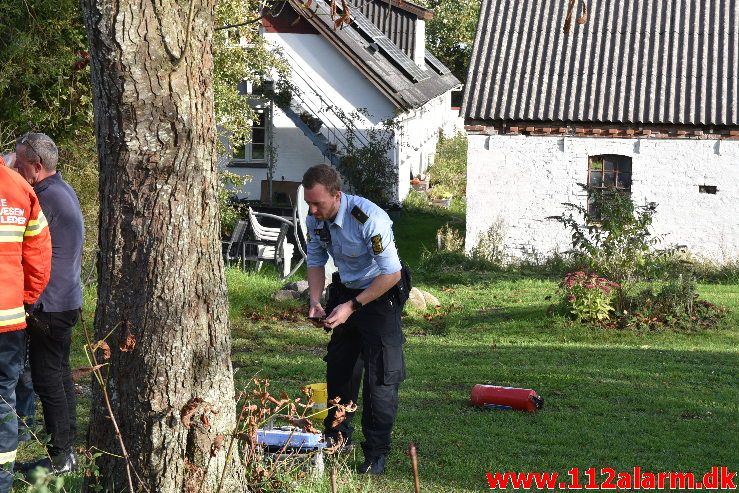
(25, 249)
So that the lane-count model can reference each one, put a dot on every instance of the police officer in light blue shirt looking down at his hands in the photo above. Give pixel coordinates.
(363, 309)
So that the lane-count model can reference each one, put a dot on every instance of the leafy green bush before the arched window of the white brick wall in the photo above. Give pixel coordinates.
(653, 288)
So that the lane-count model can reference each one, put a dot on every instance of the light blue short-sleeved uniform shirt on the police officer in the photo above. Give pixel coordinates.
(361, 243)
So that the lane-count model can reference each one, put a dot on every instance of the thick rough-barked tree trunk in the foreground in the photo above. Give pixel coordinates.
(160, 268)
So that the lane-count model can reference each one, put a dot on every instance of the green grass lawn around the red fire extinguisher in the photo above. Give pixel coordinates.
(663, 401)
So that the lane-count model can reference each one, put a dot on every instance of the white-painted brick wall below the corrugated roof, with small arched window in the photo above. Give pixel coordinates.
(516, 182)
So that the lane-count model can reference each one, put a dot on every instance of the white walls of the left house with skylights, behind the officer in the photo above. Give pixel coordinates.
(332, 76)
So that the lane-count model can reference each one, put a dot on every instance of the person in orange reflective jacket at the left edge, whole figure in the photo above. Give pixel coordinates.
(25, 265)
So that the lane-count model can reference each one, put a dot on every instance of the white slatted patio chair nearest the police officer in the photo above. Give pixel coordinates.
(268, 244)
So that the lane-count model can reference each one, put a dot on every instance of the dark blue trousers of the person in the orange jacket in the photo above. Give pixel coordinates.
(12, 350)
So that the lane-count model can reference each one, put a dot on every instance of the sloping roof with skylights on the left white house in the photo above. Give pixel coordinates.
(384, 64)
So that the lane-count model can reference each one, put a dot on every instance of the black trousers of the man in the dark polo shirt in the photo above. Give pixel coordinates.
(51, 337)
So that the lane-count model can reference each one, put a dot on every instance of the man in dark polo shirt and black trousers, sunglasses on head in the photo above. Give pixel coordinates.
(56, 312)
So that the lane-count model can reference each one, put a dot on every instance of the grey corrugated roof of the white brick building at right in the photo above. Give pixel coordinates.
(653, 62)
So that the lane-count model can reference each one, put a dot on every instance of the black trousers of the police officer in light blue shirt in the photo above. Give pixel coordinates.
(369, 342)
